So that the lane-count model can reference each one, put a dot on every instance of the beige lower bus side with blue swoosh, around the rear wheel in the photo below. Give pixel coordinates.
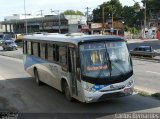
(45, 70)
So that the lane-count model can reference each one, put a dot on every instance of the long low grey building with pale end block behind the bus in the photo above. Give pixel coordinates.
(49, 23)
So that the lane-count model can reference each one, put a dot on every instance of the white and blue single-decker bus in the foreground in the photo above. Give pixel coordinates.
(88, 68)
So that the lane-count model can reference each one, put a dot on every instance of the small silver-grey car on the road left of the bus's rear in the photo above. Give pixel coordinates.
(9, 45)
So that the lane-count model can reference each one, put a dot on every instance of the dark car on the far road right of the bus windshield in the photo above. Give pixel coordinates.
(145, 51)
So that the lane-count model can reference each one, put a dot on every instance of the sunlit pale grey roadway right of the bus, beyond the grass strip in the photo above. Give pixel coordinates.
(147, 75)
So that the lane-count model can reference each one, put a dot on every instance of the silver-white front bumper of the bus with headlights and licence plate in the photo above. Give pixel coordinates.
(106, 93)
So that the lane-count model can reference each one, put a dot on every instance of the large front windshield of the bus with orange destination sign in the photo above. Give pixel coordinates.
(104, 59)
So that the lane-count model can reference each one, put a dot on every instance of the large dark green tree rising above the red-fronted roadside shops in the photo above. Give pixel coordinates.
(129, 14)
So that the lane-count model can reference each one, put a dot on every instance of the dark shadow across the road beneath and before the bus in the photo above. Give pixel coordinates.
(24, 96)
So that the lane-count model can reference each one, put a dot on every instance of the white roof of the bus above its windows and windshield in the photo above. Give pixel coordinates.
(71, 38)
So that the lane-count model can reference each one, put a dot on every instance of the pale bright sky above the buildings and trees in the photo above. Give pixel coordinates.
(10, 7)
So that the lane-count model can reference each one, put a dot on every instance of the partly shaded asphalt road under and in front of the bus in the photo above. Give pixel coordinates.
(19, 92)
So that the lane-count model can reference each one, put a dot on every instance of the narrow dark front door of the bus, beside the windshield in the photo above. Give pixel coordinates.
(72, 67)
